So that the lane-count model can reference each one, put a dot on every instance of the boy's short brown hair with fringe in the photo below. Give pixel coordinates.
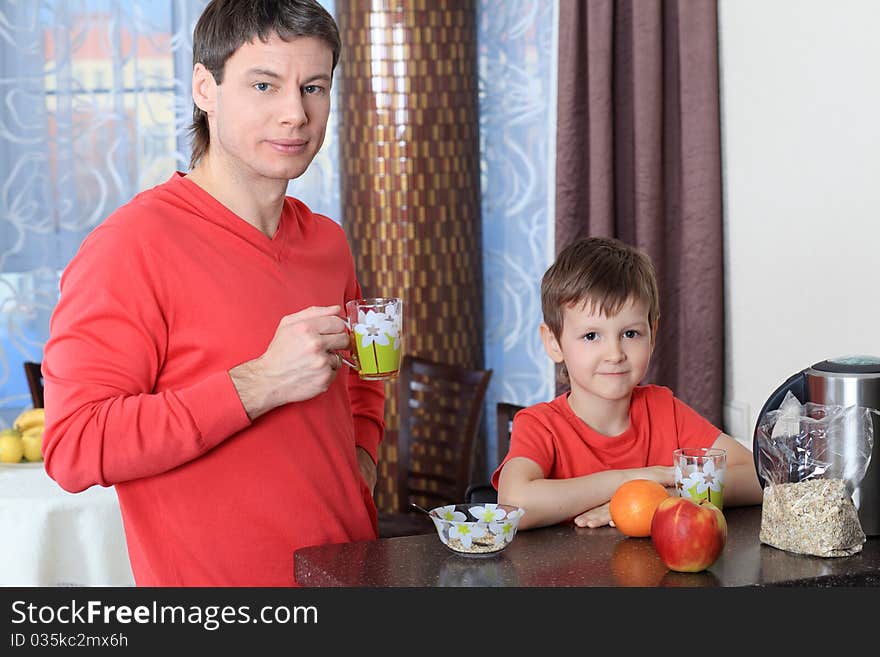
(603, 271)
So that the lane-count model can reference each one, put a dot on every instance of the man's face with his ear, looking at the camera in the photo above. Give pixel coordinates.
(269, 116)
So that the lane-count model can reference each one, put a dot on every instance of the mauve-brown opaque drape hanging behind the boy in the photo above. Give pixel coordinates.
(639, 158)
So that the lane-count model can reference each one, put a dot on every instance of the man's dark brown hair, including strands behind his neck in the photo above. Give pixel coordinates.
(225, 25)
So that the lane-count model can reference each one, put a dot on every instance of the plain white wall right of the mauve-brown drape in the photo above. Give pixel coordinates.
(800, 97)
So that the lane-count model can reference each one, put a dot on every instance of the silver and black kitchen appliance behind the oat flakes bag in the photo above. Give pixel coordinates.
(843, 381)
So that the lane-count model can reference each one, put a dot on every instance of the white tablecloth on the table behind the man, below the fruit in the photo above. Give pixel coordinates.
(49, 537)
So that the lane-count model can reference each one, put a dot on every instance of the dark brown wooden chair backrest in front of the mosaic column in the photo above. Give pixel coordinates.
(440, 410)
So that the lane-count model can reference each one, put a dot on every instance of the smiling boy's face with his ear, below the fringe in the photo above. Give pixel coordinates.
(606, 357)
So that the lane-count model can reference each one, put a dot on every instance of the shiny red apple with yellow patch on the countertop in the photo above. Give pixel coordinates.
(688, 536)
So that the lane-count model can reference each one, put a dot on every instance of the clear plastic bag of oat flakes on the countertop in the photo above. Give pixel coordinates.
(811, 458)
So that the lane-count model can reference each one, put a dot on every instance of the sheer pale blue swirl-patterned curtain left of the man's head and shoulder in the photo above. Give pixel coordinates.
(94, 107)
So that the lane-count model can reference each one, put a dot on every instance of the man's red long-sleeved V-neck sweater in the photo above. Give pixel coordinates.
(161, 301)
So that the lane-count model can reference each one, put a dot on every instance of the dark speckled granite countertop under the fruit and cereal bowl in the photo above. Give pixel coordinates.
(565, 555)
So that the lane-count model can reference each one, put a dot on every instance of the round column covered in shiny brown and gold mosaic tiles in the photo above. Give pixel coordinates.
(410, 178)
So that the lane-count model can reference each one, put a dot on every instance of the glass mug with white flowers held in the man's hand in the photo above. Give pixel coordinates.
(376, 330)
